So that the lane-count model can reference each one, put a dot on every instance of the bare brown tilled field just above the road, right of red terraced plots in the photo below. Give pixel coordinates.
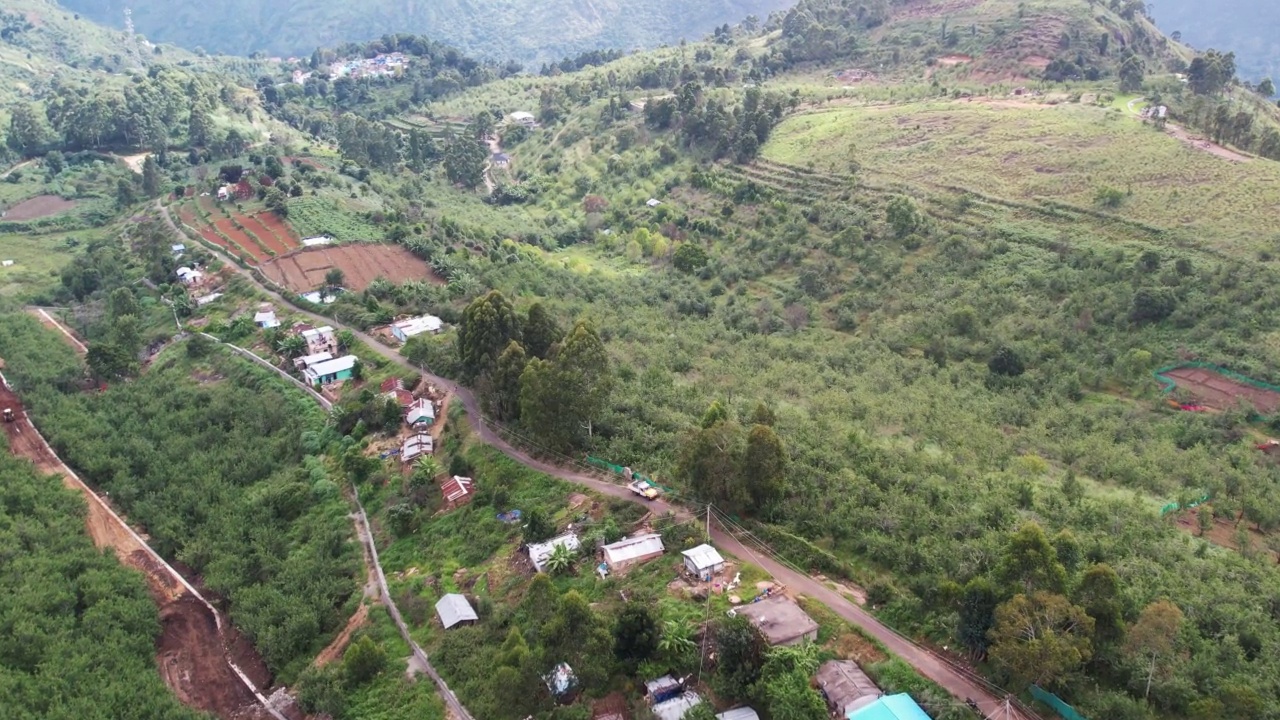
(360, 265)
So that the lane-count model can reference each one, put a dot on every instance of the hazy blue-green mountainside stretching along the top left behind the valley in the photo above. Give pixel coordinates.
(518, 30)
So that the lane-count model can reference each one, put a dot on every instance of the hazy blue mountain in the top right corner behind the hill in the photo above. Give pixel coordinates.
(1251, 29)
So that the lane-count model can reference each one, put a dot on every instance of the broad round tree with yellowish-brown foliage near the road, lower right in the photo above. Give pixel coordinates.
(1041, 639)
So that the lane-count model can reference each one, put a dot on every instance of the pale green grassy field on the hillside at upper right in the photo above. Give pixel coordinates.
(1028, 153)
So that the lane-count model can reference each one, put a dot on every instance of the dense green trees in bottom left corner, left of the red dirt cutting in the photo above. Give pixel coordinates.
(77, 630)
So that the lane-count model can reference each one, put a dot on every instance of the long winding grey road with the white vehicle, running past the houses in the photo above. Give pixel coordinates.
(930, 666)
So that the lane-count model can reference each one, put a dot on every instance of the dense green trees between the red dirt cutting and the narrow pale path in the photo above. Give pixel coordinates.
(221, 477)
